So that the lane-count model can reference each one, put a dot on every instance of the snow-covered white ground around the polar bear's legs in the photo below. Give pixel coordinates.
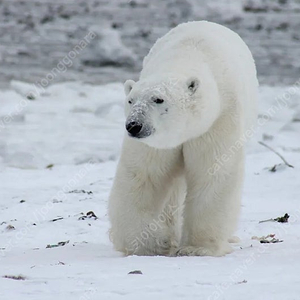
(58, 155)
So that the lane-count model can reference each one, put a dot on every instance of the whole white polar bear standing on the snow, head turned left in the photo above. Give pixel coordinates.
(183, 155)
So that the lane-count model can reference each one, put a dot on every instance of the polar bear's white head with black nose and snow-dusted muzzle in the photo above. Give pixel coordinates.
(168, 112)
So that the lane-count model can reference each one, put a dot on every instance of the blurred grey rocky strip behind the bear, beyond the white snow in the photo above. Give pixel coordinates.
(35, 35)
